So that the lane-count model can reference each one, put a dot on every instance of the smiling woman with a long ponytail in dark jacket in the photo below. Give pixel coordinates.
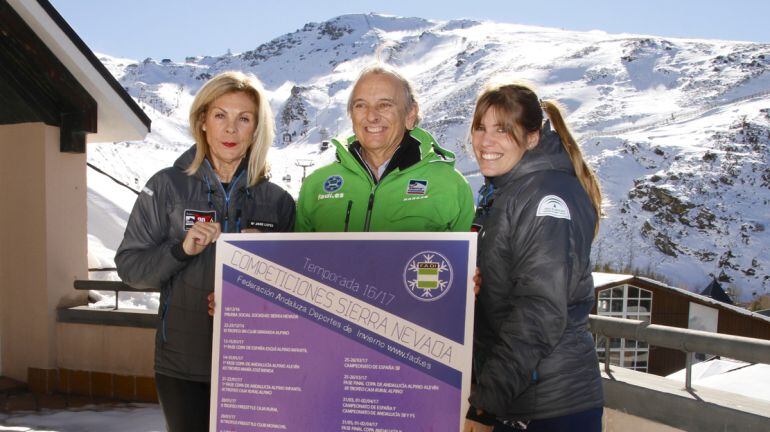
(534, 359)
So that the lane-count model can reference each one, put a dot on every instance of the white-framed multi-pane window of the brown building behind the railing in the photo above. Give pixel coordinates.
(627, 302)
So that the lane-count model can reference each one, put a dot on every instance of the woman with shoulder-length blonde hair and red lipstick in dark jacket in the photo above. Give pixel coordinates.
(218, 185)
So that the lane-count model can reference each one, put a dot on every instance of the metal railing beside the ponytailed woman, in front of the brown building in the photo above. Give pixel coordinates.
(686, 340)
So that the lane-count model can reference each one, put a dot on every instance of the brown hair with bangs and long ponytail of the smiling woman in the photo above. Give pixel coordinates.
(517, 104)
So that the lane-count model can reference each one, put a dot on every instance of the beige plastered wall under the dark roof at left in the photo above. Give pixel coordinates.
(44, 243)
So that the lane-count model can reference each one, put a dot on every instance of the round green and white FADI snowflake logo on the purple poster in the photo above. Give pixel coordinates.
(428, 276)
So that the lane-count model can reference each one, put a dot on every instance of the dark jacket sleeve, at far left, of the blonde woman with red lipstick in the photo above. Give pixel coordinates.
(144, 258)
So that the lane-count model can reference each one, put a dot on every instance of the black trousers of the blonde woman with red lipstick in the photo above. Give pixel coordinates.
(185, 404)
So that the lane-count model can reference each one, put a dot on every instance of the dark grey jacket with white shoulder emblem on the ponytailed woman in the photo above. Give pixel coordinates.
(534, 357)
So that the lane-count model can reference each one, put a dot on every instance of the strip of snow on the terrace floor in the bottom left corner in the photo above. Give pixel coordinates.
(132, 417)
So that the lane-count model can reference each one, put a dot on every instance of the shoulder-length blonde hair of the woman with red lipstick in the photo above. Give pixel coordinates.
(264, 133)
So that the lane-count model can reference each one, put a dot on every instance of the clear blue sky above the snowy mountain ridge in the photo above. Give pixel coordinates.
(178, 28)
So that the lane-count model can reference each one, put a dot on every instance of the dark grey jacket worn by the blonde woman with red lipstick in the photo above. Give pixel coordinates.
(150, 255)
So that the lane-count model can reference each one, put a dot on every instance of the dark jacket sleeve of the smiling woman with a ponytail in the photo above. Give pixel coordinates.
(536, 285)
